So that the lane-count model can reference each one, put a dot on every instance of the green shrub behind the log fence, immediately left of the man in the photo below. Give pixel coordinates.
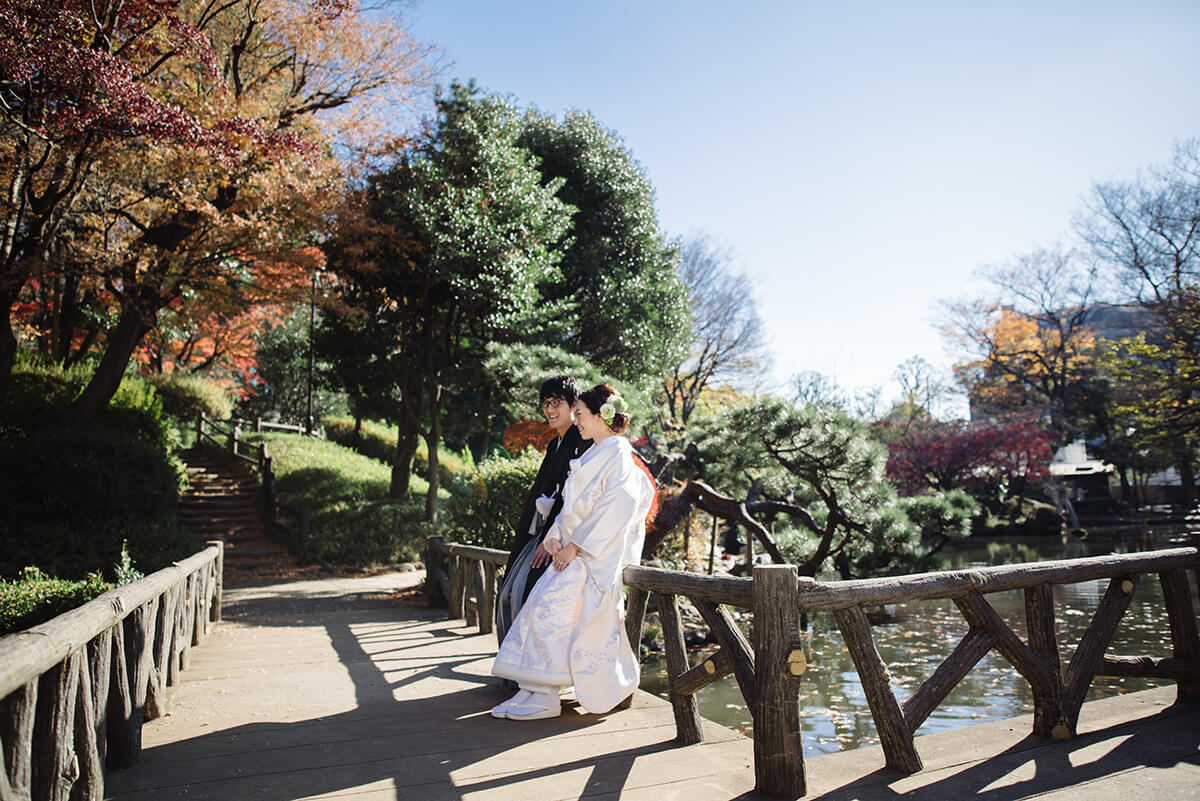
(487, 504)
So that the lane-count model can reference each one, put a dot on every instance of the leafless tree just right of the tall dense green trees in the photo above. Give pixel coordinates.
(728, 338)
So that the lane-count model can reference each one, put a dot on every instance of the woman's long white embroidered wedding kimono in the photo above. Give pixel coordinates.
(571, 630)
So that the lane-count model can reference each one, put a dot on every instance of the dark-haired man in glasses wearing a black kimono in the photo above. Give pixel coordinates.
(529, 559)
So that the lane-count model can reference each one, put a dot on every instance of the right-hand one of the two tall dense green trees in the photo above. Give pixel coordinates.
(617, 302)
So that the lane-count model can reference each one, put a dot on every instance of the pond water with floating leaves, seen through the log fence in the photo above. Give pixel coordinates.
(915, 639)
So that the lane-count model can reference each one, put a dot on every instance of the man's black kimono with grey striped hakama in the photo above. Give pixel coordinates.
(550, 480)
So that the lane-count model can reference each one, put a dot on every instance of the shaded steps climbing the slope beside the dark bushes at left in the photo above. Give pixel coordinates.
(224, 502)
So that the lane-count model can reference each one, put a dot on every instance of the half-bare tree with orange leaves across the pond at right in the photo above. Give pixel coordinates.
(1033, 350)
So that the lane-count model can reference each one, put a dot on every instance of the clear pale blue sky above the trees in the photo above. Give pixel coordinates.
(862, 160)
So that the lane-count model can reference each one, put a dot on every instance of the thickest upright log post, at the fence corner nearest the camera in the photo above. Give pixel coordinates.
(778, 750)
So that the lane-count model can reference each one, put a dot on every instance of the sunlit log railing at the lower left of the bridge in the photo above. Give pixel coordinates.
(76, 690)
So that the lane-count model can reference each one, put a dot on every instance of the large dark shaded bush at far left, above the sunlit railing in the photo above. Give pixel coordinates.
(73, 497)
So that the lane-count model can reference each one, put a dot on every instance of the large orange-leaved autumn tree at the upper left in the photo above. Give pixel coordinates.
(224, 189)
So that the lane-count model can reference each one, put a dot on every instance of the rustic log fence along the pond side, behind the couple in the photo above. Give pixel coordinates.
(770, 672)
